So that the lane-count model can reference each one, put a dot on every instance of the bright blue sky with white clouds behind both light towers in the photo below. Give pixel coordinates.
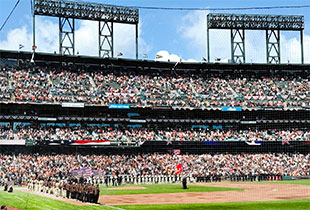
(181, 33)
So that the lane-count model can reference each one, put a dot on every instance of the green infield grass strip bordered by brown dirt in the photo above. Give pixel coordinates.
(163, 188)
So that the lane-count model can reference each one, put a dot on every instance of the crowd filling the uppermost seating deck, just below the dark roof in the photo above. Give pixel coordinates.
(153, 89)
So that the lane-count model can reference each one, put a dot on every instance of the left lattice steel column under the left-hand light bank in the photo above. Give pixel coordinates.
(66, 36)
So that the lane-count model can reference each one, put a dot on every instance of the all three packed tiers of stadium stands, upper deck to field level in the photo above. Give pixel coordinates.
(32, 99)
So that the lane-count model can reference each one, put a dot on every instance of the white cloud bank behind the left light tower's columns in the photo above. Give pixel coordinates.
(86, 38)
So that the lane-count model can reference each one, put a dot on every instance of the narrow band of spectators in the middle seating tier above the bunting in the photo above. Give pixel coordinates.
(139, 135)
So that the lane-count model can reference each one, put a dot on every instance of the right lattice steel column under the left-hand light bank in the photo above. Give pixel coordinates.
(106, 43)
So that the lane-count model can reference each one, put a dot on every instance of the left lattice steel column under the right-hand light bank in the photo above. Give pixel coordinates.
(237, 45)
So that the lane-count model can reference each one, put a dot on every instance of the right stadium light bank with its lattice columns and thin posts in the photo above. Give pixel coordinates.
(238, 23)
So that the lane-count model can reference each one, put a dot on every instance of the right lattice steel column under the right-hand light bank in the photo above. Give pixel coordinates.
(273, 46)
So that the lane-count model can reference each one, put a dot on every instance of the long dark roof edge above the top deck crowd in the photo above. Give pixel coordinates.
(120, 63)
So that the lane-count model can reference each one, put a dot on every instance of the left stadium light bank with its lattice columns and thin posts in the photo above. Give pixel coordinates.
(69, 11)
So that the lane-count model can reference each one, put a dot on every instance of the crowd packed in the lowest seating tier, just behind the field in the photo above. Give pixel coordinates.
(23, 167)
